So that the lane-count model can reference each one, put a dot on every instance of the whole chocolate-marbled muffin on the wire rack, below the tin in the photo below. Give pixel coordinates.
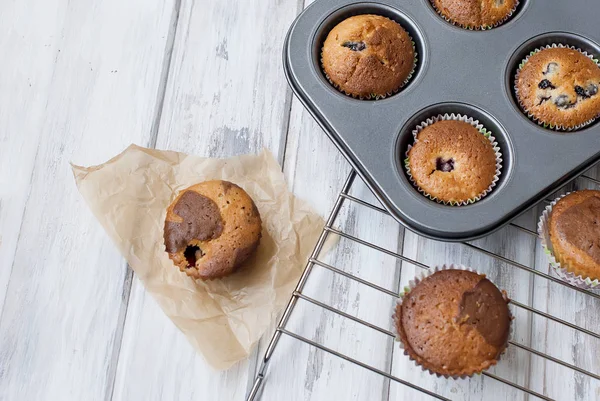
(454, 322)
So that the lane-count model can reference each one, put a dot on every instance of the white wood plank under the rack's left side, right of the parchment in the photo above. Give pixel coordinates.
(301, 372)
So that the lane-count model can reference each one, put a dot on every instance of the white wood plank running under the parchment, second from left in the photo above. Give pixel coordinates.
(226, 95)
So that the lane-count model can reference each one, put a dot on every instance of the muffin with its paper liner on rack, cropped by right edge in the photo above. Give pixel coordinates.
(570, 232)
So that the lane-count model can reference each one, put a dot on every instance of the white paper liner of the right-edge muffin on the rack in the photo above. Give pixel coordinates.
(579, 281)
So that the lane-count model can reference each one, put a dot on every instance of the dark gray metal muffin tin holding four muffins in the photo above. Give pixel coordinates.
(458, 71)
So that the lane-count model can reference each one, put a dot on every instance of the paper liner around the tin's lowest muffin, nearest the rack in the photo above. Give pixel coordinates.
(480, 128)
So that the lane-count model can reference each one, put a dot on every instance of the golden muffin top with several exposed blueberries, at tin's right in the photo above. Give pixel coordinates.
(559, 86)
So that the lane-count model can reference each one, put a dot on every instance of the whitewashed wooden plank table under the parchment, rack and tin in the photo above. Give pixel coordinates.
(79, 81)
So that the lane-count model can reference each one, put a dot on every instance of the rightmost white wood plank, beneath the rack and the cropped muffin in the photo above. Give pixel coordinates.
(560, 341)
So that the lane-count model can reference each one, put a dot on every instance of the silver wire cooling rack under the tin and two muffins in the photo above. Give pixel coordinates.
(300, 294)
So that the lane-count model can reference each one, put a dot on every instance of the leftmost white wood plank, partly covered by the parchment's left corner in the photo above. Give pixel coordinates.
(78, 81)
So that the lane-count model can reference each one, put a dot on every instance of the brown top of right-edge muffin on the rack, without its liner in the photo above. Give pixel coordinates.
(575, 232)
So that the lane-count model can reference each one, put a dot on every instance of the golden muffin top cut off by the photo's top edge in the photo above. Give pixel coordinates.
(476, 13)
